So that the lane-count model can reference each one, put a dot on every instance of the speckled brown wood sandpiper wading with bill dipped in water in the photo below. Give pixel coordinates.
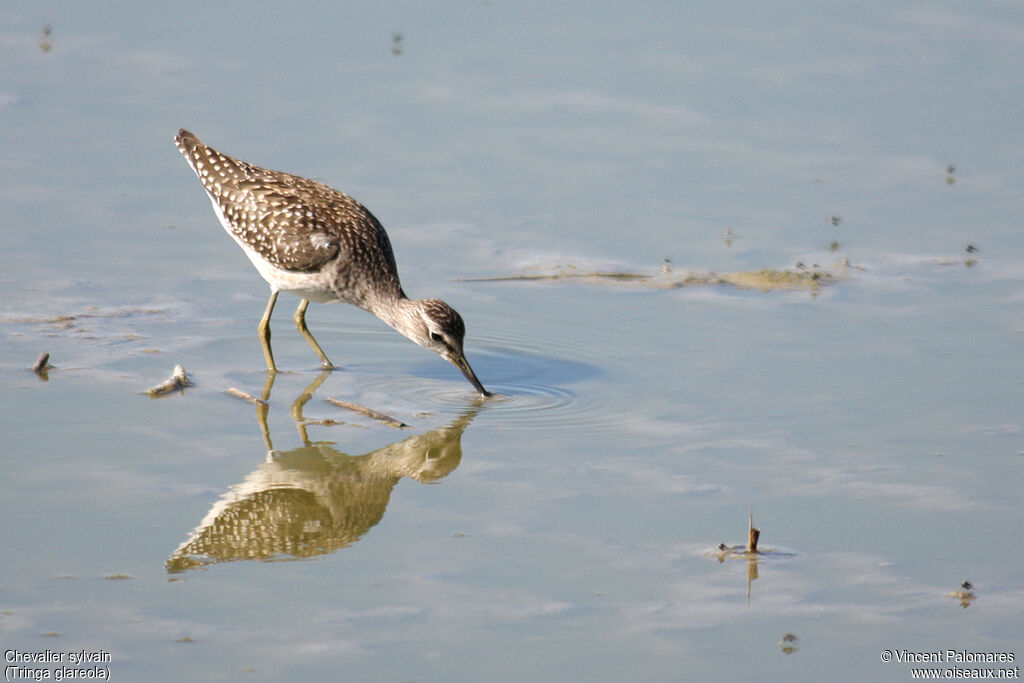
(320, 245)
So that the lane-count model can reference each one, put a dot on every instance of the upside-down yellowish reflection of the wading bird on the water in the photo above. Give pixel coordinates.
(314, 500)
